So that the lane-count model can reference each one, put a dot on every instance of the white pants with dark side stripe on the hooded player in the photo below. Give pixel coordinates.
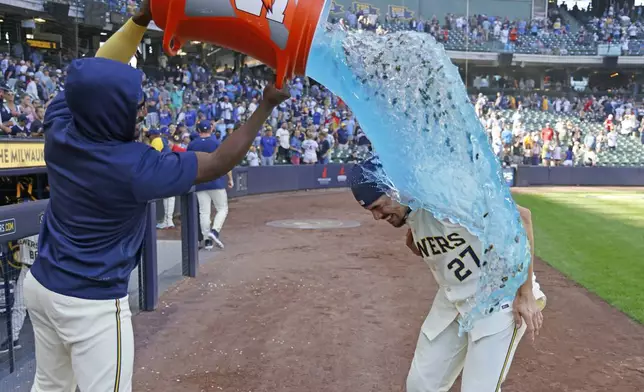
(81, 342)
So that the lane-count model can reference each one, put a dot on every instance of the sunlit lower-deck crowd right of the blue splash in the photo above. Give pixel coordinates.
(520, 130)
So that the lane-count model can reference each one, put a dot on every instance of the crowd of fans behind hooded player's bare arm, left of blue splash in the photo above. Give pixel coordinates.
(306, 129)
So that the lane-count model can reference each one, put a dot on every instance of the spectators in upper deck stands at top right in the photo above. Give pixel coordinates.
(622, 25)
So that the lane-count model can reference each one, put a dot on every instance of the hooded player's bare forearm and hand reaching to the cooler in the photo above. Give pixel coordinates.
(216, 164)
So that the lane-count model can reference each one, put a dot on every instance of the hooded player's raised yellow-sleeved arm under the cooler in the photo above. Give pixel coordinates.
(122, 45)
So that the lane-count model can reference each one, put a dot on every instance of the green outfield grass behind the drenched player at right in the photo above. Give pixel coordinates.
(595, 239)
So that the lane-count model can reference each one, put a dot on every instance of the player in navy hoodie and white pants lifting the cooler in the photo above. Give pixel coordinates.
(101, 179)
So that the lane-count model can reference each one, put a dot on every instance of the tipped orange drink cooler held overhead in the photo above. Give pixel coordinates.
(275, 32)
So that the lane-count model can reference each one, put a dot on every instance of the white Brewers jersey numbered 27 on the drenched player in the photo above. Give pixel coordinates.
(453, 255)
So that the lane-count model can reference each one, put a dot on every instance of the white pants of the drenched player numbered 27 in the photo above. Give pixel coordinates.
(484, 363)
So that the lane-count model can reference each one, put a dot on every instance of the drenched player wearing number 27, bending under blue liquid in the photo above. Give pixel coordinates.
(453, 254)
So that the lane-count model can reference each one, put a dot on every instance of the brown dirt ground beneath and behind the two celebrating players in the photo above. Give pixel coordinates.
(340, 310)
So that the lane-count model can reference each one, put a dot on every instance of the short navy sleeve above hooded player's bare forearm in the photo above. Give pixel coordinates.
(160, 175)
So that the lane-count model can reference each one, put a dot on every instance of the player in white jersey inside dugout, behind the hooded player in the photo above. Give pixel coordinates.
(24, 254)
